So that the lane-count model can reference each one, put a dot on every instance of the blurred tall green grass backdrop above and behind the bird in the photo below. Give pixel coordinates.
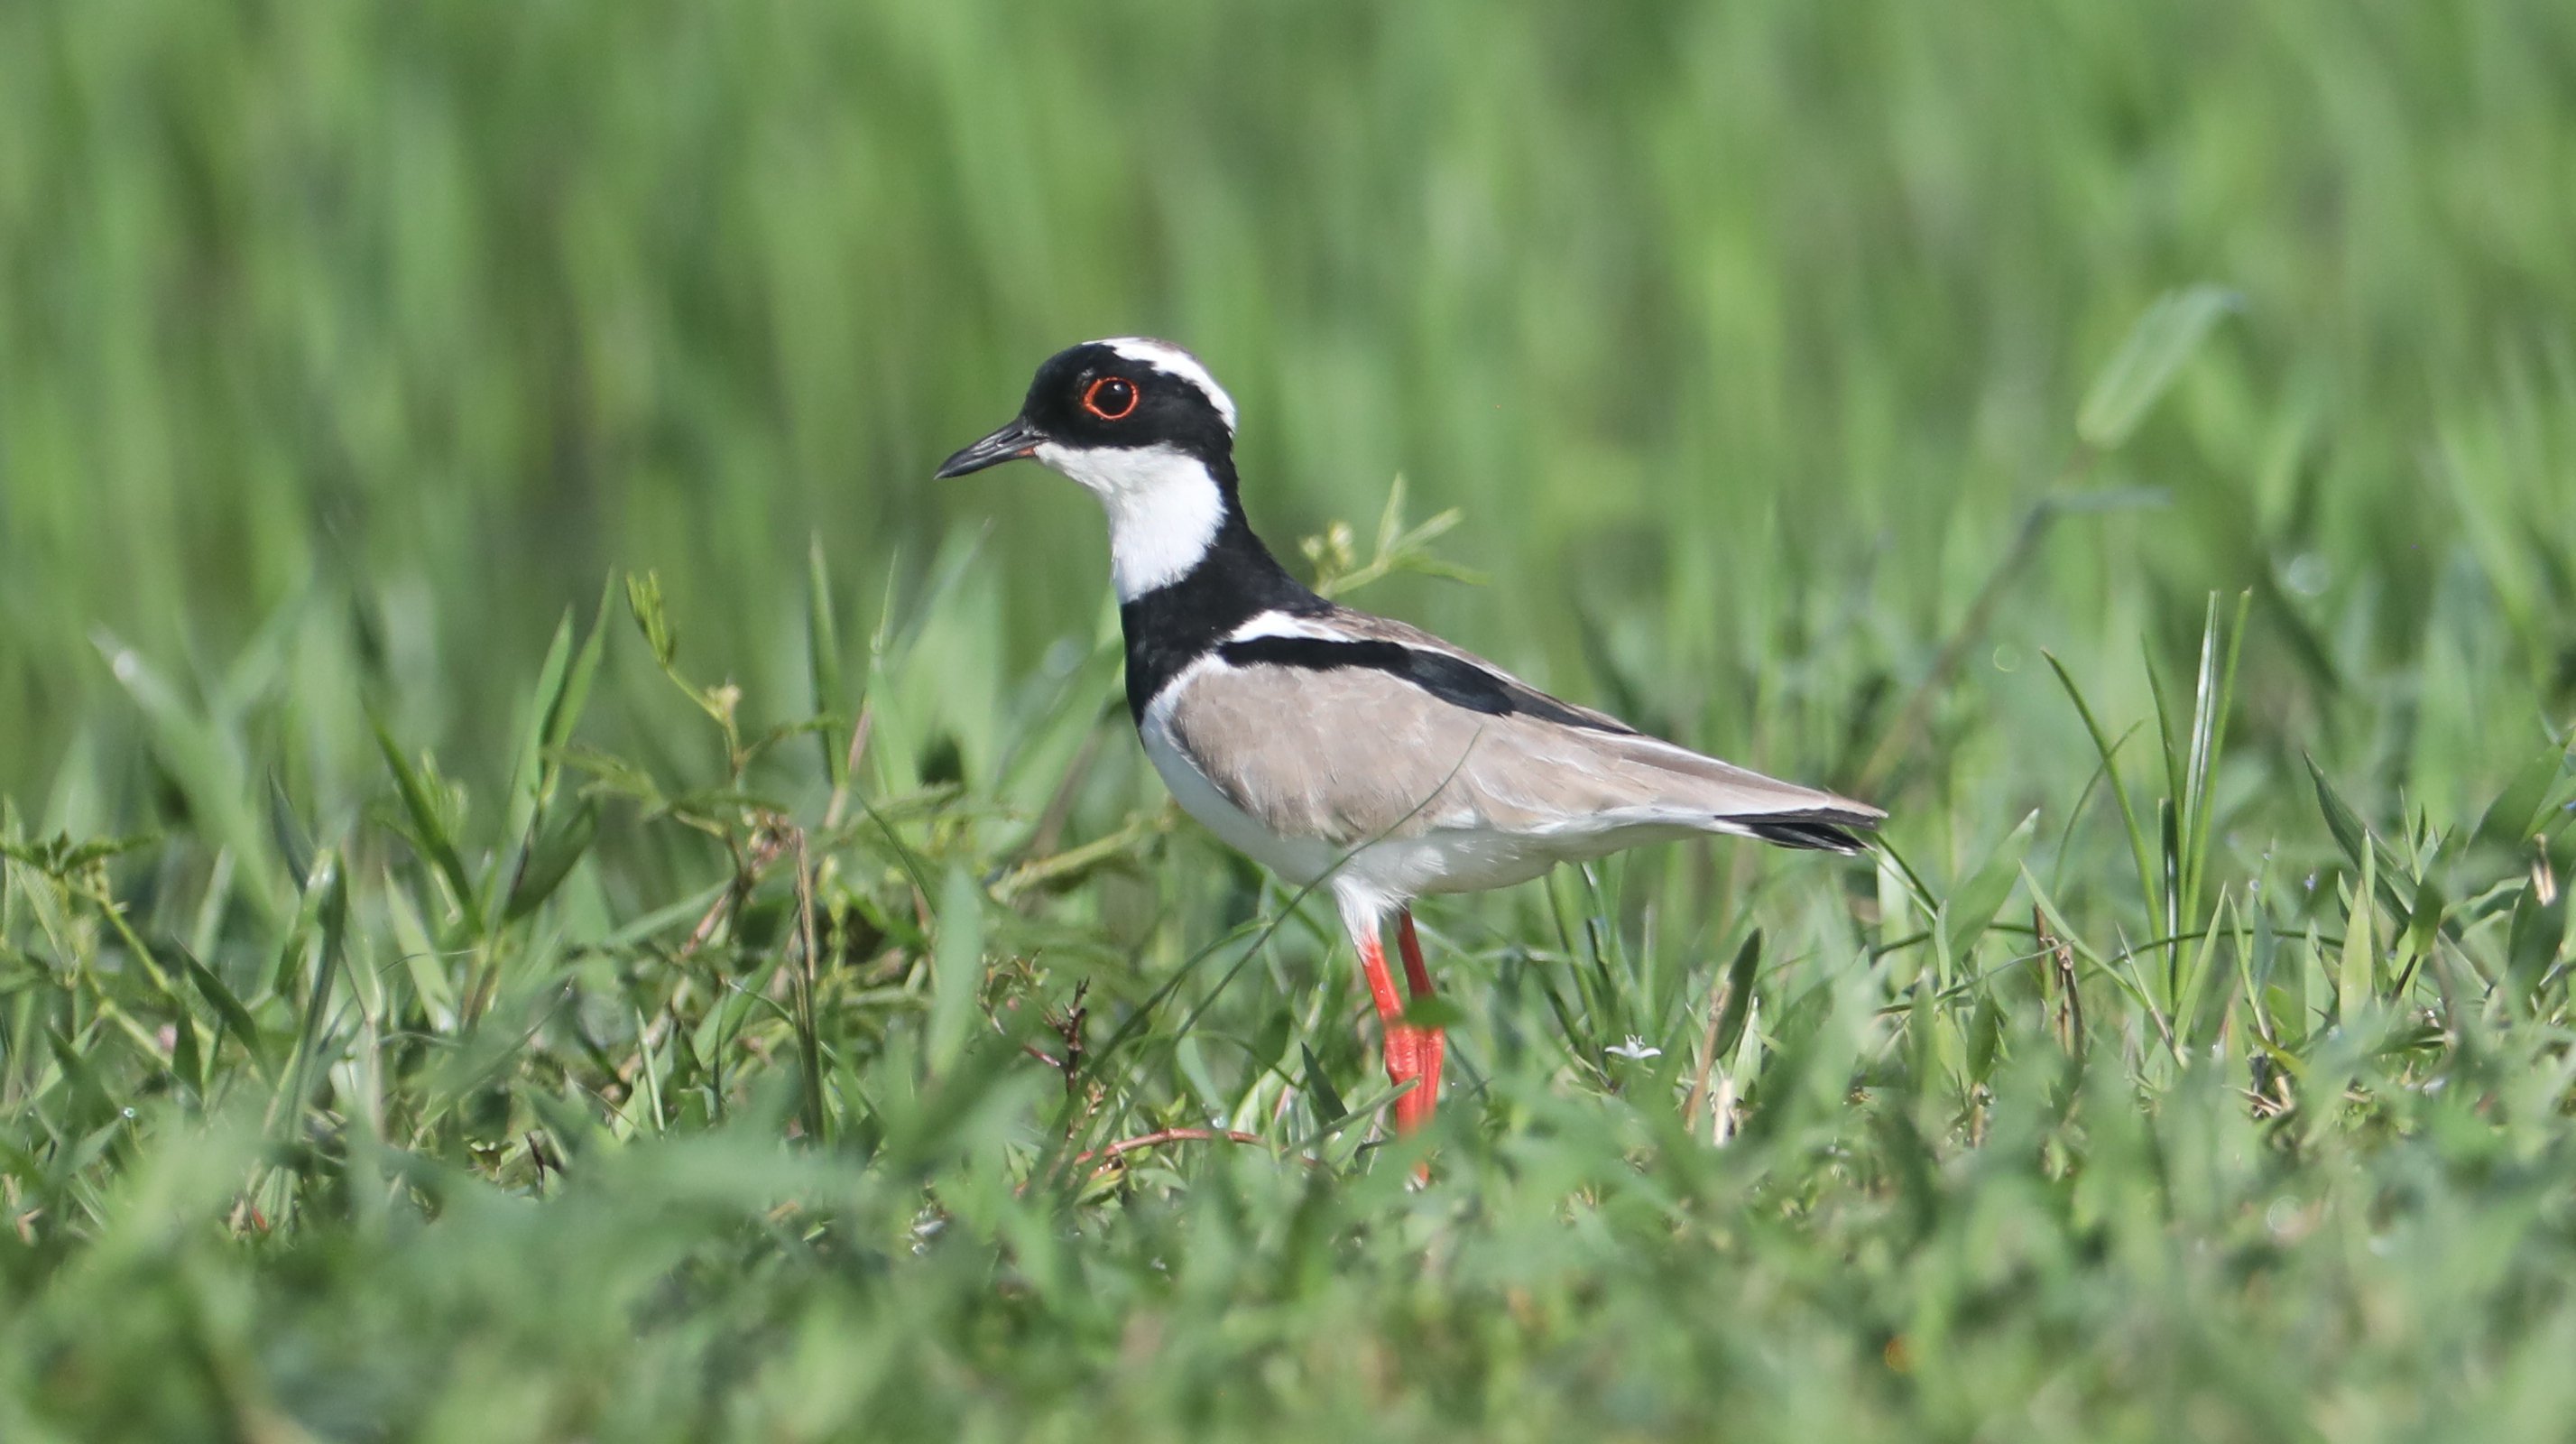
(1725, 324)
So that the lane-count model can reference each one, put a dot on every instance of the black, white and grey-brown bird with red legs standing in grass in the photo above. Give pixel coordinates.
(1341, 749)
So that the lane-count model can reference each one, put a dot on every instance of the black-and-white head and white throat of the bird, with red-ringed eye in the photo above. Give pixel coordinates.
(1148, 432)
